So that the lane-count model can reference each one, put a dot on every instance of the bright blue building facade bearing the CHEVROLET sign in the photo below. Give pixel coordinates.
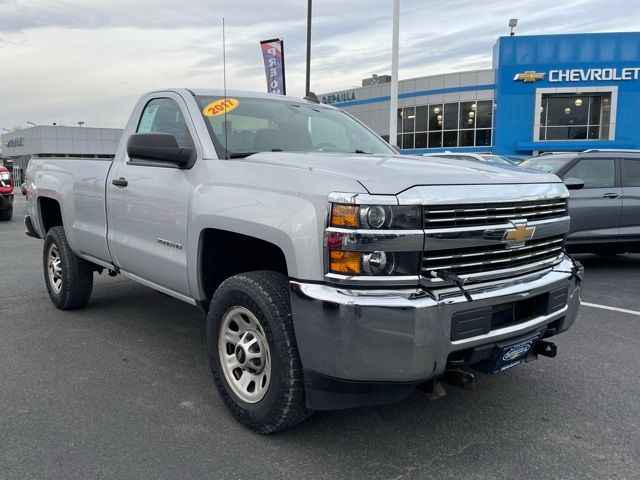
(591, 81)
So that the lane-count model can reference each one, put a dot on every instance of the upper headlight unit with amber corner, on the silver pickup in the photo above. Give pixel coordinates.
(375, 217)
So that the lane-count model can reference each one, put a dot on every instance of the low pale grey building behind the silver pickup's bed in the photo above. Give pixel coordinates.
(44, 141)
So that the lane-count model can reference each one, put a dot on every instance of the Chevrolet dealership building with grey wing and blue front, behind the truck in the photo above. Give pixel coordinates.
(542, 93)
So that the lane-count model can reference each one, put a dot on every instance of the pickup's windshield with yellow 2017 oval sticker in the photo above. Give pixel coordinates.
(262, 125)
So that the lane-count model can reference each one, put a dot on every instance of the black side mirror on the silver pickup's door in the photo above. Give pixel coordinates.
(158, 147)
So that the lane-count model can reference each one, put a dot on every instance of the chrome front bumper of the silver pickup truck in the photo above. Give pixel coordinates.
(361, 347)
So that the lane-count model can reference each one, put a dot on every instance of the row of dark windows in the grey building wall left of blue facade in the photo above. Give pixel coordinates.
(457, 124)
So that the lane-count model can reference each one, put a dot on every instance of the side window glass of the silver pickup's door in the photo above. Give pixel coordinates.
(163, 115)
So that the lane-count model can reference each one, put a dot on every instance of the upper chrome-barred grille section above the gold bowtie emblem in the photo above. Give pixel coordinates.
(448, 216)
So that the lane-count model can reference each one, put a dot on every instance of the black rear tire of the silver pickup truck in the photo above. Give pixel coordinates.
(76, 279)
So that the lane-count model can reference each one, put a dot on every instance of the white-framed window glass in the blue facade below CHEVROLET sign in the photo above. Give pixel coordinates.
(575, 116)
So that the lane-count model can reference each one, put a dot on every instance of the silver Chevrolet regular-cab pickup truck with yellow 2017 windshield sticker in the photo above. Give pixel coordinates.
(335, 272)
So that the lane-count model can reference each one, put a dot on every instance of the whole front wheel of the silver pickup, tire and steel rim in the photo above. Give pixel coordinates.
(253, 353)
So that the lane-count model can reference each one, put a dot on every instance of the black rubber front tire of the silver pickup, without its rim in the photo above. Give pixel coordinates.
(266, 295)
